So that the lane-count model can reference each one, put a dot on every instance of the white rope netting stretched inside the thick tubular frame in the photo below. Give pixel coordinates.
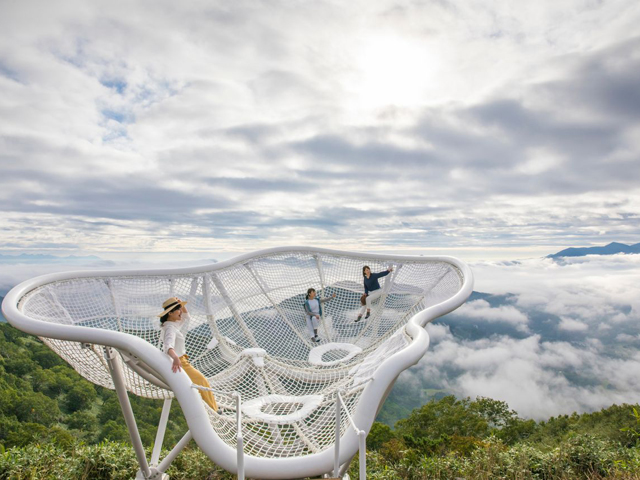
(247, 333)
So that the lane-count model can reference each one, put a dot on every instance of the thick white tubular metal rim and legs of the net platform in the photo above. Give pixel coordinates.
(197, 418)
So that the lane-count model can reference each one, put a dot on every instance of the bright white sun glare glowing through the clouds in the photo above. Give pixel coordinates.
(395, 71)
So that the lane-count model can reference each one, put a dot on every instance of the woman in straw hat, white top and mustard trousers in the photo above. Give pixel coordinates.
(173, 320)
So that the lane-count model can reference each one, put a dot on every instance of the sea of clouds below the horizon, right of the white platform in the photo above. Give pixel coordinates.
(552, 337)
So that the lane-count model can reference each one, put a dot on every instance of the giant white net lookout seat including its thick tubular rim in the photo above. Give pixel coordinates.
(248, 335)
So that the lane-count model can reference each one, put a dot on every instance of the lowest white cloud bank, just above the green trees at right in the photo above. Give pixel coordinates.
(529, 374)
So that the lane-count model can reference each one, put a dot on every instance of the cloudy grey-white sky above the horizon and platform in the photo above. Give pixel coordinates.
(487, 130)
